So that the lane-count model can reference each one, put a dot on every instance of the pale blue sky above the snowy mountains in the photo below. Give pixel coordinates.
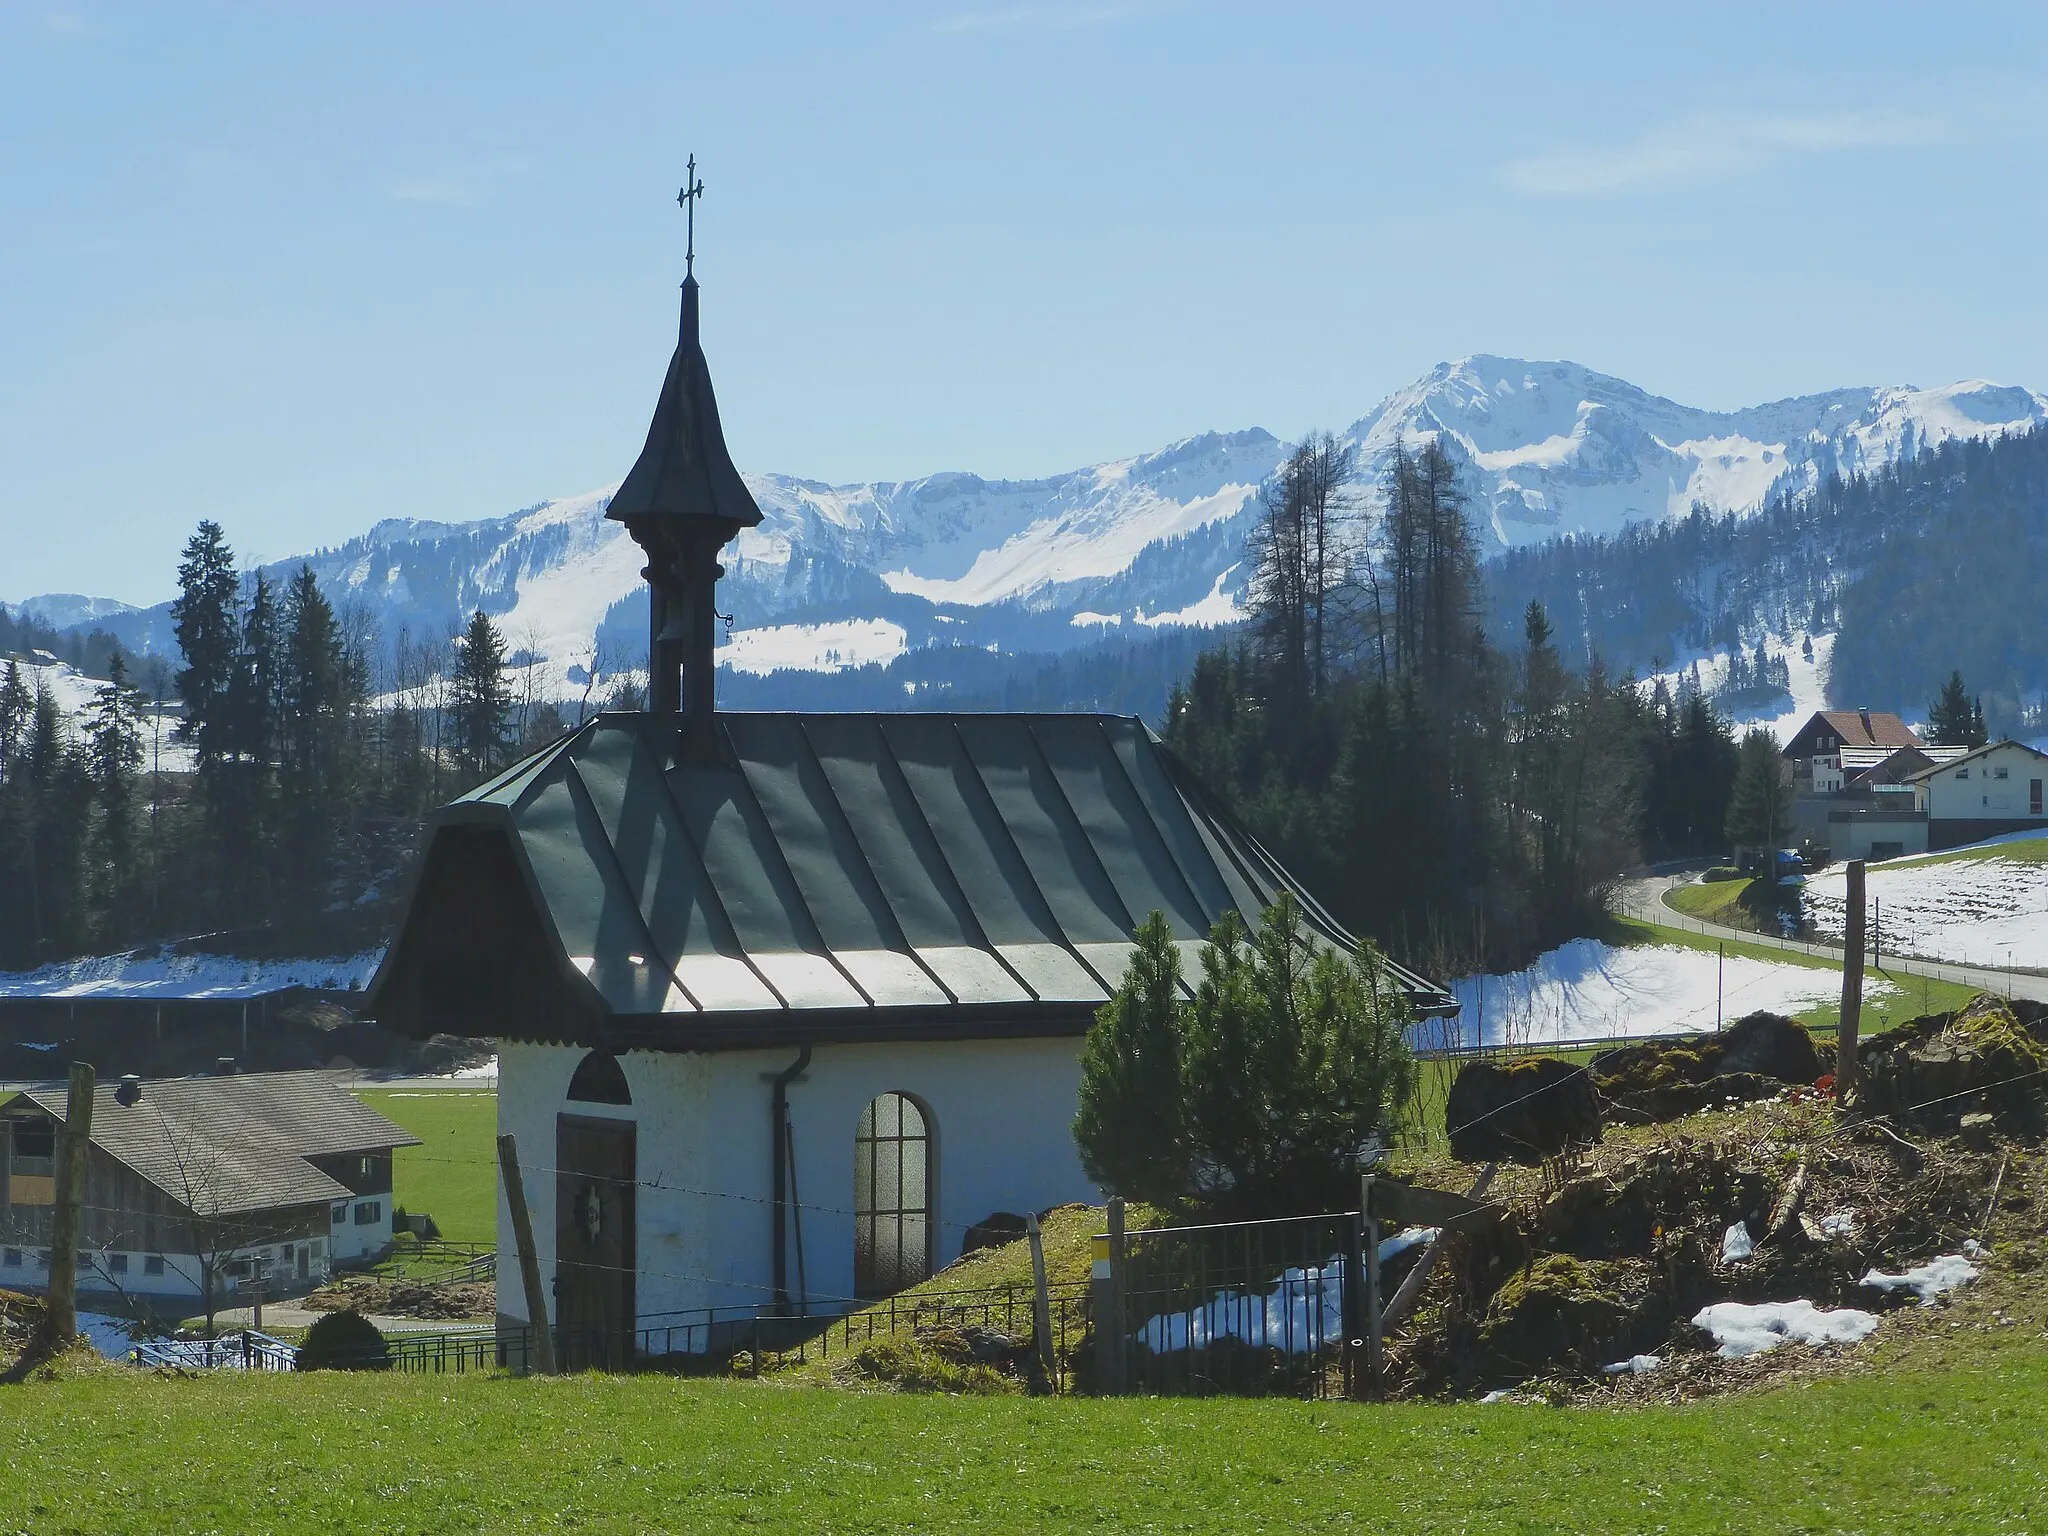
(308, 267)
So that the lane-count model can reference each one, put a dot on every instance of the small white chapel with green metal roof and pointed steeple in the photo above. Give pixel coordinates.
(790, 1002)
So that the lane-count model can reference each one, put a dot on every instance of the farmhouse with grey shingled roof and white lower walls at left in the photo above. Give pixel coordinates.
(230, 1181)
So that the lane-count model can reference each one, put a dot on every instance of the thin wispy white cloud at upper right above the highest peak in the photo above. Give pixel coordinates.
(1721, 144)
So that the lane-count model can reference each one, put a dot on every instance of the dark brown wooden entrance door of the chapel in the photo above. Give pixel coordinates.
(595, 1252)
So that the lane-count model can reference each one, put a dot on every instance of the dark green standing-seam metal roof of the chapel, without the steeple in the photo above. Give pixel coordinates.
(857, 876)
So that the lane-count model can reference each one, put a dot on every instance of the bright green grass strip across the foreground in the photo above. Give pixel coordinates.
(122, 1453)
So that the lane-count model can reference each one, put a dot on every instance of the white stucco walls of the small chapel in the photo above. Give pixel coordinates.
(1002, 1123)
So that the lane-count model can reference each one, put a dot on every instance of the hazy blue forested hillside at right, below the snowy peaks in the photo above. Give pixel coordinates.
(1926, 568)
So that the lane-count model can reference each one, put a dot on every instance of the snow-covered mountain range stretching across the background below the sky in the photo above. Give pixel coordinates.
(849, 574)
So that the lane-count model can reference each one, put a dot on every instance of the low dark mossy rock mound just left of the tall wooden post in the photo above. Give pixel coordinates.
(1752, 1060)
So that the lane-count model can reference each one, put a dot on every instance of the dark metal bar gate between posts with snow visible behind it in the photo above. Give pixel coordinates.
(1250, 1308)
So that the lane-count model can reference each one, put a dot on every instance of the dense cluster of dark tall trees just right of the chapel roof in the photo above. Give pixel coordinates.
(1463, 798)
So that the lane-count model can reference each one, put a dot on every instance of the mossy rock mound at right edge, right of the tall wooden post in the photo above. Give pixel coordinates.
(1979, 1060)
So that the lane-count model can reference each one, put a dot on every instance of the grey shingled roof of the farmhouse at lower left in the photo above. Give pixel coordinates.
(228, 1146)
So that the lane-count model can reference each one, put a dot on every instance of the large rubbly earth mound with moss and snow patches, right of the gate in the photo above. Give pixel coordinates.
(1623, 1254)
